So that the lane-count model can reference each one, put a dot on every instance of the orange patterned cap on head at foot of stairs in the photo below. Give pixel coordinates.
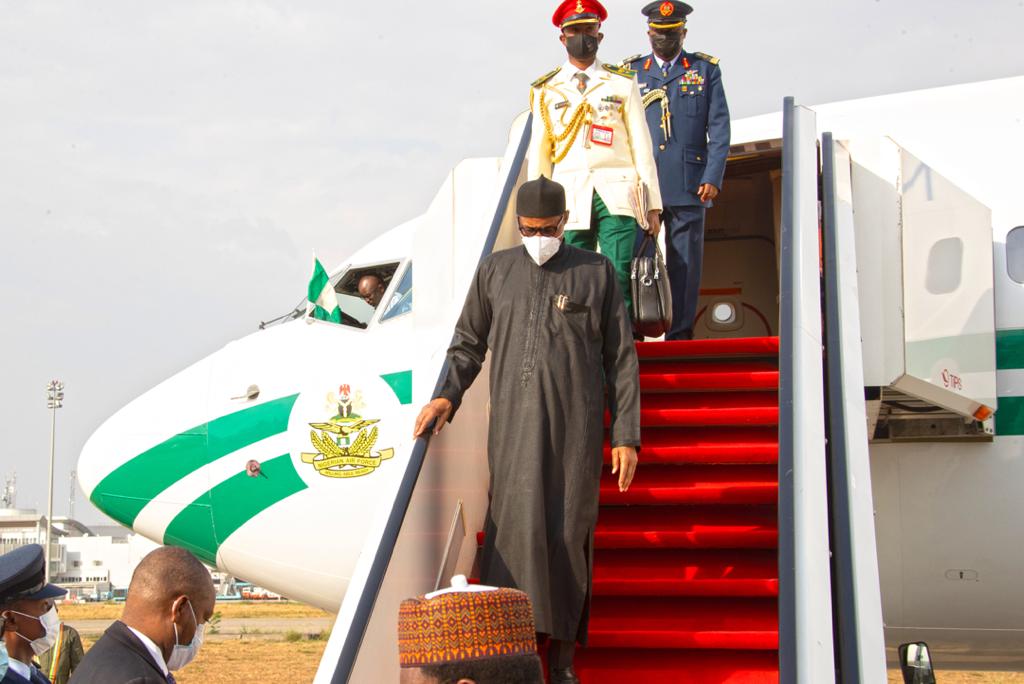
(465, 624)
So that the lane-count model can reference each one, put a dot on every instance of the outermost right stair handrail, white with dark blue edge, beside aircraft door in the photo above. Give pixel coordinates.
(859, 606)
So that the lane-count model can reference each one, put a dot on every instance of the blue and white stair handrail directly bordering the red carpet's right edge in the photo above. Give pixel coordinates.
(806, 653)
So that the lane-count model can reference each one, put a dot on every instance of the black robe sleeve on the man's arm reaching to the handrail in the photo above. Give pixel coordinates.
(470, 347)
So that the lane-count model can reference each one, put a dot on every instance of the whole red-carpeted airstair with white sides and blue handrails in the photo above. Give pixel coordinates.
(745, 550)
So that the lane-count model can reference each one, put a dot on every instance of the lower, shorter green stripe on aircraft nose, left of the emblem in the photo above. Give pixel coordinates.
(207, 523)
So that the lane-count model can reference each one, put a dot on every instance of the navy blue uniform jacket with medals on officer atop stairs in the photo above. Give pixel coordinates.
(698, 149)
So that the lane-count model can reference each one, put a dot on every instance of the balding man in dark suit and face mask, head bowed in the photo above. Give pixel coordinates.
(170, 600)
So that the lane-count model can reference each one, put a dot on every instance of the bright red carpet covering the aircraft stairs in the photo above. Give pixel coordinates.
(686, 564)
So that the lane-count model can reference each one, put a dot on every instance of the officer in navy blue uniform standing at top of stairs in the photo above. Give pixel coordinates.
(690, 127)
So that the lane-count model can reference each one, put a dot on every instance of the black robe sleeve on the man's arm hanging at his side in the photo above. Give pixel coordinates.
(622, 370)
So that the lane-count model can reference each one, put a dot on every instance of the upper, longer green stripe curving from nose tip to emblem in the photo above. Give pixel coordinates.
(124, 493)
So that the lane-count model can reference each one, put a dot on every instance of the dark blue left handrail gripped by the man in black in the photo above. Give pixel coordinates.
(375, 578)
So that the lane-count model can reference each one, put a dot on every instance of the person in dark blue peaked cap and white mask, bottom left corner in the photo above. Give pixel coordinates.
(29, 619)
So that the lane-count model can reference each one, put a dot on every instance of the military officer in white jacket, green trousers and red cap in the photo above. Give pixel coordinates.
(590, 135)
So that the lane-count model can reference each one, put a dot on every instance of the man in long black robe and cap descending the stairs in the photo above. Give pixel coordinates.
(553, 318)
